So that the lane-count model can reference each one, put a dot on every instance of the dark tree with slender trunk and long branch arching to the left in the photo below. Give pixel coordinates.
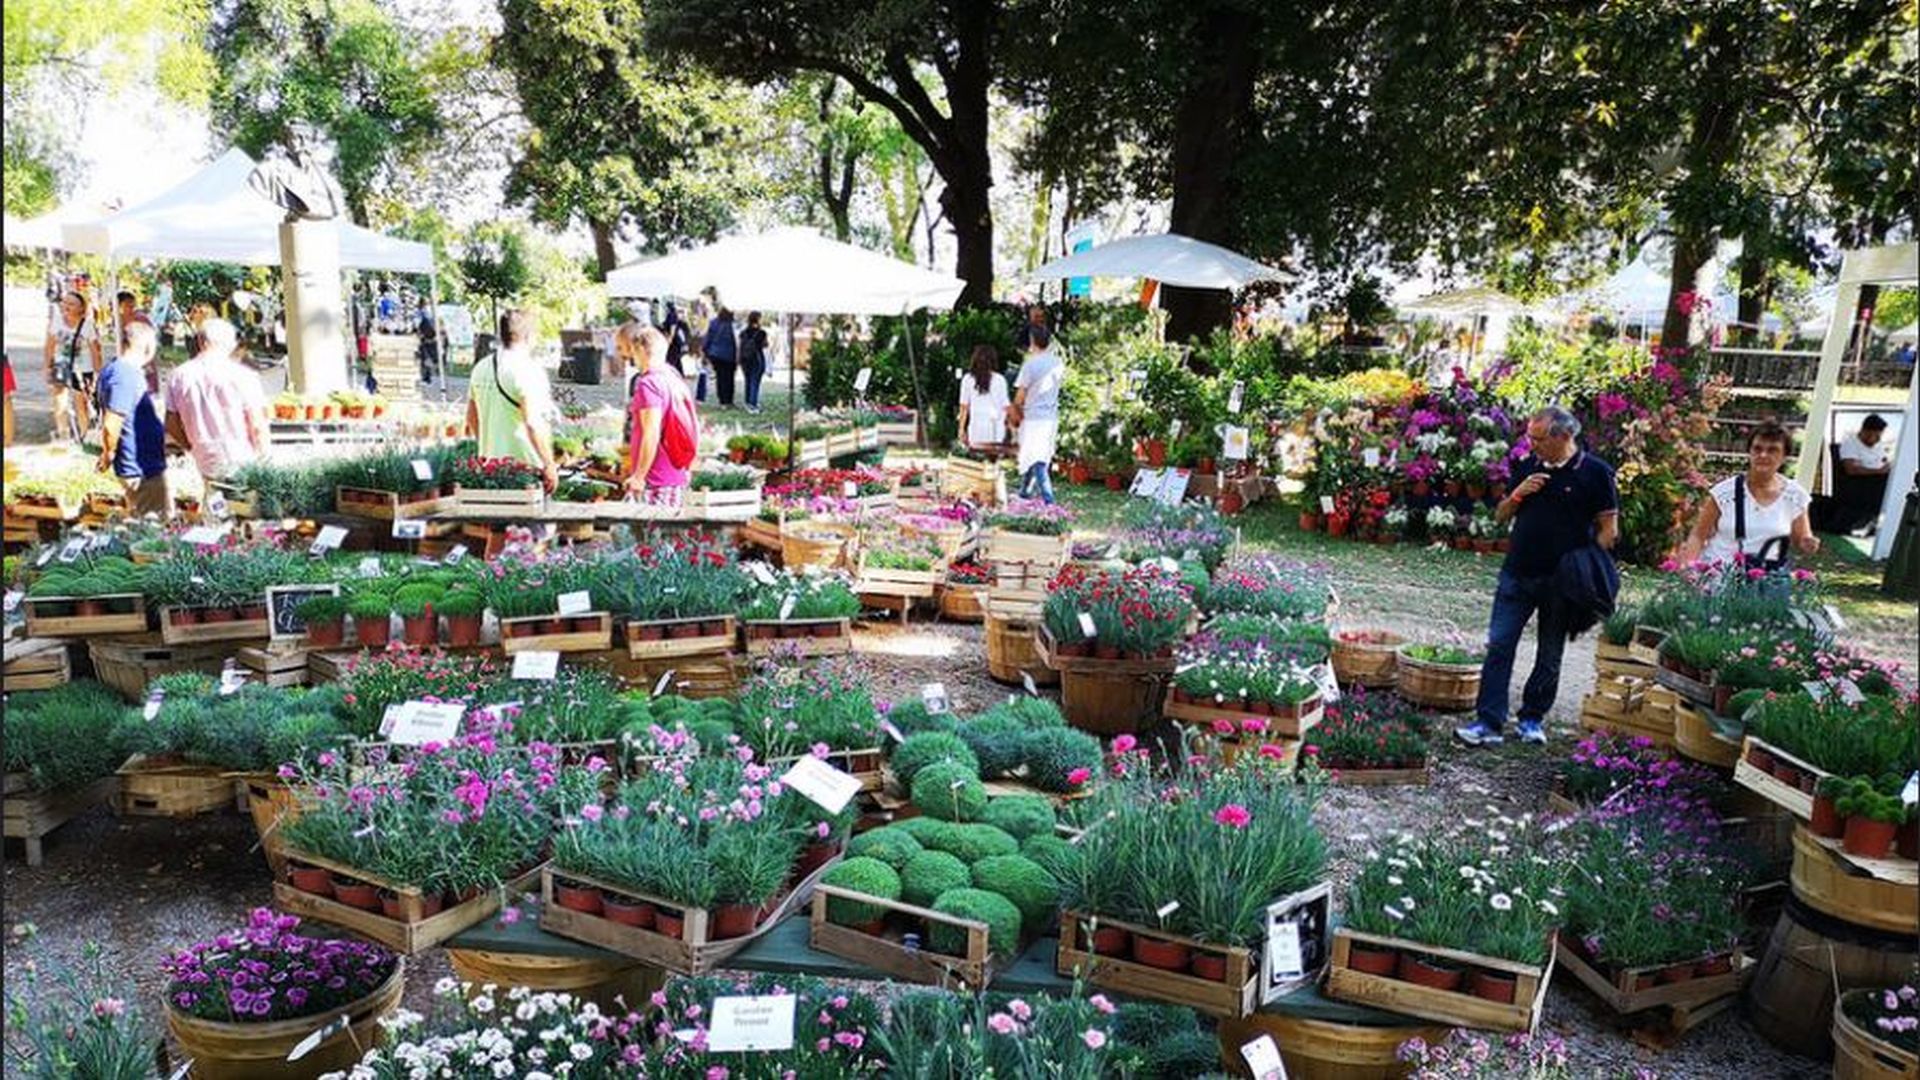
(928, 64)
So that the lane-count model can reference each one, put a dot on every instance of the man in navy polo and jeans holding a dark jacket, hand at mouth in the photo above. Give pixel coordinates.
(1564, 501)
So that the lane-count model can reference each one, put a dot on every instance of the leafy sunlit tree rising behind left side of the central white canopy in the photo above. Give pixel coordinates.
(615, 137)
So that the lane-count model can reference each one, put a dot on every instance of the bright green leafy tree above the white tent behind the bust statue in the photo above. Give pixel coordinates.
(347, 68)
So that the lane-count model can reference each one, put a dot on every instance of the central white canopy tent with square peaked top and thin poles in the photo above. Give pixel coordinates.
(792, 270)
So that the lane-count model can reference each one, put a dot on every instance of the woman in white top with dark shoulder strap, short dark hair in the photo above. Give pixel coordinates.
(1775, 508)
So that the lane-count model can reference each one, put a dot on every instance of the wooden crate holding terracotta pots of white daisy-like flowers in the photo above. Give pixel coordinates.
(1445, 1006)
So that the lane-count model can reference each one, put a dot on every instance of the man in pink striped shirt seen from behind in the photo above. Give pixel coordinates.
(216, 406)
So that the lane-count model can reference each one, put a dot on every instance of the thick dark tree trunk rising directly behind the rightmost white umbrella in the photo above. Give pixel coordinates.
(1207, 143)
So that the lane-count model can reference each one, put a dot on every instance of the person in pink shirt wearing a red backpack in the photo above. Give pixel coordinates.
(665, 426)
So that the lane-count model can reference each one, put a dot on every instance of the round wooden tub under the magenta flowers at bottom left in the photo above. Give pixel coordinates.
(258, 1052)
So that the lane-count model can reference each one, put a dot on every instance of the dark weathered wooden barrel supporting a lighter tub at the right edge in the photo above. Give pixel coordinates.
(1792, 989)
